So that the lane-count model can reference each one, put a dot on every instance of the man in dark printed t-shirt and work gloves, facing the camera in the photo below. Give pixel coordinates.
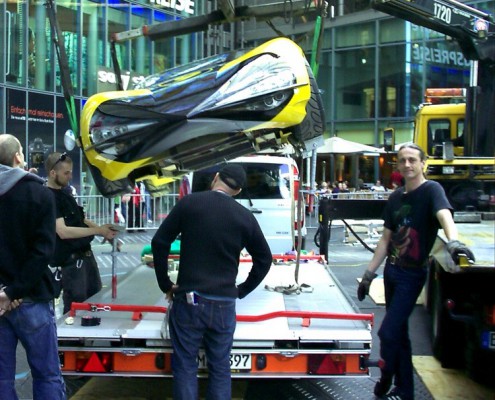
(412, 217)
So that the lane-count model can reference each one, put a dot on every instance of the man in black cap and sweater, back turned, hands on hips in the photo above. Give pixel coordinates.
(214, 228)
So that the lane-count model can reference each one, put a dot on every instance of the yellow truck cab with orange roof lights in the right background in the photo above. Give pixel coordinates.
(441, 130)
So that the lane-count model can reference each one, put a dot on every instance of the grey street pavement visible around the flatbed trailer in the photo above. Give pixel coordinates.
(348, 261)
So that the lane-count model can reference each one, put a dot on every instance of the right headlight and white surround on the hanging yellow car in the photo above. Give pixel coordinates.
(265, 76)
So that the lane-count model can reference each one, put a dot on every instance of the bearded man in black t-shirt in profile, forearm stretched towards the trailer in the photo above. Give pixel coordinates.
(80, 274)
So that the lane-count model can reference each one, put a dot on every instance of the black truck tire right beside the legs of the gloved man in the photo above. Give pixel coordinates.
(446, 334)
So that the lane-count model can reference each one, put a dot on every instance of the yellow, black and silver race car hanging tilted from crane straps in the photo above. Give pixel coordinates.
(197, 115)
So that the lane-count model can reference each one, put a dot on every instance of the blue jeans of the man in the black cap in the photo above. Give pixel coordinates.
(211, 323)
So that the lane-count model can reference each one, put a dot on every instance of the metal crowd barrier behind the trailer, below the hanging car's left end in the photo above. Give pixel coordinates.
(133, 211)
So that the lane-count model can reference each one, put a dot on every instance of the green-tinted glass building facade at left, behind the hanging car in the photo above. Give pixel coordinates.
(32, 105)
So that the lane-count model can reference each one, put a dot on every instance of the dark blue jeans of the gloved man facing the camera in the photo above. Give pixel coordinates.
(402, 287)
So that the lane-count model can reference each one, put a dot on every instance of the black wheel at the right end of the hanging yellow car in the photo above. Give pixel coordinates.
(313, 124)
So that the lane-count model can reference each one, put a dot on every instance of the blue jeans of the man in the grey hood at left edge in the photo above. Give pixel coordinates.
(33, 324)
